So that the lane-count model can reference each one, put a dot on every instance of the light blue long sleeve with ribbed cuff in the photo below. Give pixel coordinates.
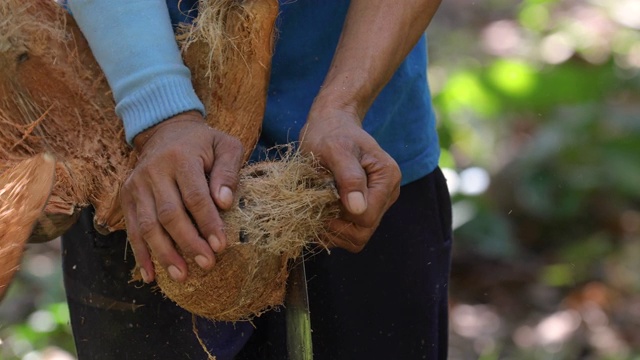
(134, 43)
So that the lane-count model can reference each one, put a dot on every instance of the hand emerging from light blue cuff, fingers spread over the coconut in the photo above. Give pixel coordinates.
(185, 172)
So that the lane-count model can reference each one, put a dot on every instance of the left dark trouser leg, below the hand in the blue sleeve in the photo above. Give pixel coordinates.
(112, 318)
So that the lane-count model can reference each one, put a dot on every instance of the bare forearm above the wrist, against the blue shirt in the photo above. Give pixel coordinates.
(376, 37)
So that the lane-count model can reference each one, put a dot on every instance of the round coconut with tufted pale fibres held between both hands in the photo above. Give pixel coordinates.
(280, 208)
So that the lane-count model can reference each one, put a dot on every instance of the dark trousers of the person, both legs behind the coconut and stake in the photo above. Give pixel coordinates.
(387, 302)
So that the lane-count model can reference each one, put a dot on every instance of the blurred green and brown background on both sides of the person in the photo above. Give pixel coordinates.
(539, 117)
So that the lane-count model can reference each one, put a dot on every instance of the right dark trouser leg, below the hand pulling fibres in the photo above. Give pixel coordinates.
(390, 301)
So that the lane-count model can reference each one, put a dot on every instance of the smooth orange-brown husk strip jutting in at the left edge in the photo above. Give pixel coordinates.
(24, 190)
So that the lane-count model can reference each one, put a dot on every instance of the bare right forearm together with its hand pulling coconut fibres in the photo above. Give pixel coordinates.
(376, 37)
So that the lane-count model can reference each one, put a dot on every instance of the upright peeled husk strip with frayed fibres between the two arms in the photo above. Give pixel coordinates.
(237, 36)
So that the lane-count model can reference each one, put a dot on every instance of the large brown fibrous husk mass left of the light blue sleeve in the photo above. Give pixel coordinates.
(54, 98)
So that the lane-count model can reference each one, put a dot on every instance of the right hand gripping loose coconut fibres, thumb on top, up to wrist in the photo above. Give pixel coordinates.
(367, 178)
